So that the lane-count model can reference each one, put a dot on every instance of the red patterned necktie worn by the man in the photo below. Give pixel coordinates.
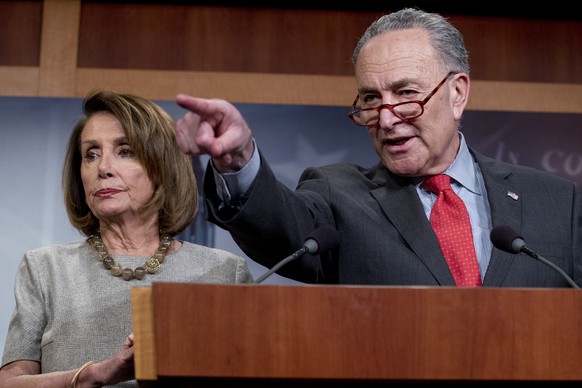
(450, 220)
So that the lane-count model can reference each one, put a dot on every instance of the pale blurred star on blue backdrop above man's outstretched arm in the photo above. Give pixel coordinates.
(288, 172)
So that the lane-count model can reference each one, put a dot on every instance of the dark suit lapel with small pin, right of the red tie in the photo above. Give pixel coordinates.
(505, 201)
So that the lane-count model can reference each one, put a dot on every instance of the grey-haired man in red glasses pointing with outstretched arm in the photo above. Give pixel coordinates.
(413, 82)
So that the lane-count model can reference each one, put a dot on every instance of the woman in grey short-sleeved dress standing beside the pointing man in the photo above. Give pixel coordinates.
(130, 191)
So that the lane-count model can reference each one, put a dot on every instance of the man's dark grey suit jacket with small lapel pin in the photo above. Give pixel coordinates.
(385, 236)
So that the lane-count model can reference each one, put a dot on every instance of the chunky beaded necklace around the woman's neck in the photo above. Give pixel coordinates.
(151, 266)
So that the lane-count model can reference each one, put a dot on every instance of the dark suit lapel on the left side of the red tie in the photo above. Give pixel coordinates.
(400, 202)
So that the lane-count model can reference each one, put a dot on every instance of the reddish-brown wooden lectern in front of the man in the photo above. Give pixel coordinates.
(303, 335)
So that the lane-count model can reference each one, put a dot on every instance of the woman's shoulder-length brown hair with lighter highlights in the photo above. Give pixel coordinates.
(150, 132)
